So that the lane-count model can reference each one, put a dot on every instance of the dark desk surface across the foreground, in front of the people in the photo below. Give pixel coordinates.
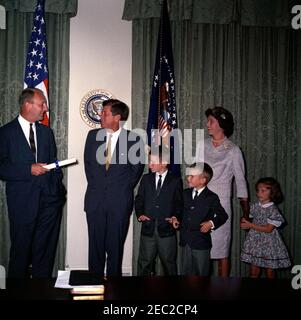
(177, 288)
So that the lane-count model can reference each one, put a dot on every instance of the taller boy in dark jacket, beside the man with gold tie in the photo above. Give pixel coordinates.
(158, 206)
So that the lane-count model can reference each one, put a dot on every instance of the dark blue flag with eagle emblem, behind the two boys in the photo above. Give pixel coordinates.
(162, 117)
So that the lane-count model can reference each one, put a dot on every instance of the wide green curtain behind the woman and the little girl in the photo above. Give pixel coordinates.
(252, 70)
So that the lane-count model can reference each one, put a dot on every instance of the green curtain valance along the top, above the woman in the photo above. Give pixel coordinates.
(247, 12)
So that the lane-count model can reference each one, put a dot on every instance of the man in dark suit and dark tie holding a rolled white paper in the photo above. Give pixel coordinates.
(34, 194)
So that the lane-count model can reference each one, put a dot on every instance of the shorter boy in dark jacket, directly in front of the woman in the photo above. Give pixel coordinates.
(202, 213)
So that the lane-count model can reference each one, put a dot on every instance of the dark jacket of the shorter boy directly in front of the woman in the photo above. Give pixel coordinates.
(200, 209)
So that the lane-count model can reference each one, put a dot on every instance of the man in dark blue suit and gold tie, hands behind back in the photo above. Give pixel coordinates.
(114, 159)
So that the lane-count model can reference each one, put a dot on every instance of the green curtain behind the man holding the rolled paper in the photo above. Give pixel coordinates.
(13, 47)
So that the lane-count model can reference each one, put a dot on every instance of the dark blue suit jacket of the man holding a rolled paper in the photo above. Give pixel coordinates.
(16, 159)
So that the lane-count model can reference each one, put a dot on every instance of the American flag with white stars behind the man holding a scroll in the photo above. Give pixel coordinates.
(36, 70)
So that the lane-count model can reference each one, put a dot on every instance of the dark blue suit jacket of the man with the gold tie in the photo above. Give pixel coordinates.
(113, 188)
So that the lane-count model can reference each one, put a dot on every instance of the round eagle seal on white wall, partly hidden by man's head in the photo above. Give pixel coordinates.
(91, 106)
